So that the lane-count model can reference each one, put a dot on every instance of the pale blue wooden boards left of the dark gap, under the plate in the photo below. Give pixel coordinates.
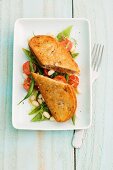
(28, 149)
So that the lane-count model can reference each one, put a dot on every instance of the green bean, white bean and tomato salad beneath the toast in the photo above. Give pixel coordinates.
(41, 110)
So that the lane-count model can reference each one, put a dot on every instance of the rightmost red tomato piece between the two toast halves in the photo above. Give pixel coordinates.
(73, 80)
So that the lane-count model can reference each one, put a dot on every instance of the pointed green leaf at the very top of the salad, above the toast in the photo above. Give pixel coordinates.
(65, 33)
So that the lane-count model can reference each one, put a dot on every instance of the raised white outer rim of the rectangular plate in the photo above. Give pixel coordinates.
(90, 114)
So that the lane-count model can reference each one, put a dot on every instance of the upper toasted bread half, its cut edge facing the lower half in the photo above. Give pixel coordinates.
(52, 55)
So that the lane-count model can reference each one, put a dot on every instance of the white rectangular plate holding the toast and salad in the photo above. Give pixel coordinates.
(24, 29)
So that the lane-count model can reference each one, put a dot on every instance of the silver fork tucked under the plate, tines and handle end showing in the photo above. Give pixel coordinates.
(96, 54)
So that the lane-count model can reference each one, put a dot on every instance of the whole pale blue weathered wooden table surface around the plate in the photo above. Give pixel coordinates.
(33, 150)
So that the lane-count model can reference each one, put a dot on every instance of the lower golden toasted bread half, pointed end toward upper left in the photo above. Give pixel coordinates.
(59, 97)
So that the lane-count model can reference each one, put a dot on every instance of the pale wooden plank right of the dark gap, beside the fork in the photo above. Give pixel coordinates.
(97, 150)
